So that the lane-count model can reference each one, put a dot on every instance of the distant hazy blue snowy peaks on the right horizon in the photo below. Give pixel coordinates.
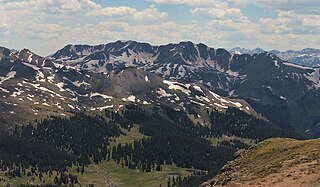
(306, 57)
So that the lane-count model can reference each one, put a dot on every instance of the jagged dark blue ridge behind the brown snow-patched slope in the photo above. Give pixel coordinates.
(277, 89)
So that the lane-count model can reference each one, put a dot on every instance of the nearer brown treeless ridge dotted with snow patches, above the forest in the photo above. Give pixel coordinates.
(33, 87)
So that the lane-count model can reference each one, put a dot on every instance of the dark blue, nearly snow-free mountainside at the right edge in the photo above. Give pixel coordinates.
(279, 90)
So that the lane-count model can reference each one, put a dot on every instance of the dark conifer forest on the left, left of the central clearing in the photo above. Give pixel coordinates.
(56, 144)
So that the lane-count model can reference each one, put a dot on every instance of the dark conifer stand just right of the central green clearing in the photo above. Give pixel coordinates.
(173, 139)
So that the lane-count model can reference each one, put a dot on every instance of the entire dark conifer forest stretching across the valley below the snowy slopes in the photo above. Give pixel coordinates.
(46, 152)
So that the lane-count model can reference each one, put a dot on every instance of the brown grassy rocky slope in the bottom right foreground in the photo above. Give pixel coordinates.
(273, 162)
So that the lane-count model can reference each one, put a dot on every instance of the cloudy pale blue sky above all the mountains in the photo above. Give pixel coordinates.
(45, 26)
